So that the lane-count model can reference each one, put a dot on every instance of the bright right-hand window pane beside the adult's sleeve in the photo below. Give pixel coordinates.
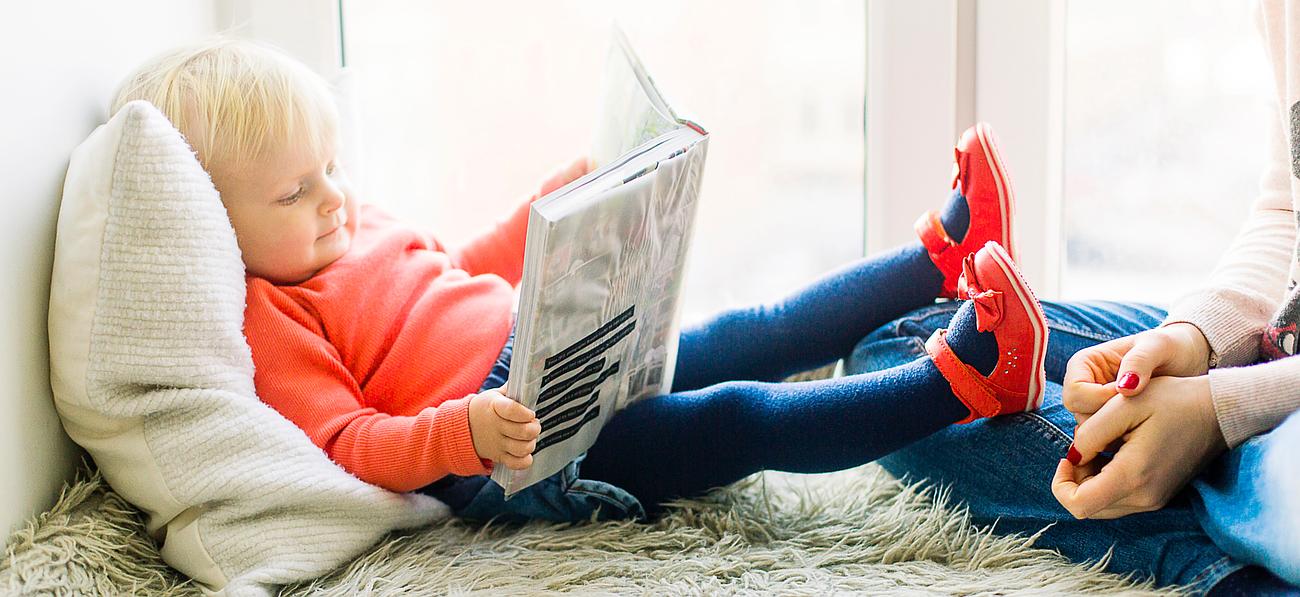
(1167, 102)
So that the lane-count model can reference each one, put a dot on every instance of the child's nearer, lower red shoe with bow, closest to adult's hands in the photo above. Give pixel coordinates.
(1006, 306)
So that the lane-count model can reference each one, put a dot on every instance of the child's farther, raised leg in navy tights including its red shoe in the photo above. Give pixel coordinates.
(822, 322)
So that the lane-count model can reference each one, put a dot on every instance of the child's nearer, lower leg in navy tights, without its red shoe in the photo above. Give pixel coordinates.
(688, 443)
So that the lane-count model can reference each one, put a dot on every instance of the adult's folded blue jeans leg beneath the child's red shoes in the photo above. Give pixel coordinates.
(1003, 468)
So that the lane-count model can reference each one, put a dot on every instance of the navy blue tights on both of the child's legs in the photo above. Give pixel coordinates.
(730, 417)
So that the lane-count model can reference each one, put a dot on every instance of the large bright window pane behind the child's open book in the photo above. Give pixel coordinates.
(466, 111)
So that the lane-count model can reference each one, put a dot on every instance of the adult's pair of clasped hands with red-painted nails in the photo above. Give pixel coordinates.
(1147, 400)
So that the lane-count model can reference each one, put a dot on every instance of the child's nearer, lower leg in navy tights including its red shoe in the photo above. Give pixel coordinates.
(989, 362)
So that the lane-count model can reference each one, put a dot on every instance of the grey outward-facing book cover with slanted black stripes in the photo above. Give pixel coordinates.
(600, 325)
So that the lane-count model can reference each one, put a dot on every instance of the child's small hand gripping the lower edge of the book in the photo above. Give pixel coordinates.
(504, 431)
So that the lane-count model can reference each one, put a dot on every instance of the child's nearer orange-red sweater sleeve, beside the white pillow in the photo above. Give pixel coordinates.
(302, 377)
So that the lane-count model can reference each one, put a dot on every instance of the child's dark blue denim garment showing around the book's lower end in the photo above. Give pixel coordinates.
(562, 497)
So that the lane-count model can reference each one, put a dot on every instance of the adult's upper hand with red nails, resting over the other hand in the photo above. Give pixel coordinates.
(1125, 366)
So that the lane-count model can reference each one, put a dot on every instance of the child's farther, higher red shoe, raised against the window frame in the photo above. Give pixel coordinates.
(981, 178)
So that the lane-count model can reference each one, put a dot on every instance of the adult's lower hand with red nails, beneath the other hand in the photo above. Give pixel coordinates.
(1169, 434)
